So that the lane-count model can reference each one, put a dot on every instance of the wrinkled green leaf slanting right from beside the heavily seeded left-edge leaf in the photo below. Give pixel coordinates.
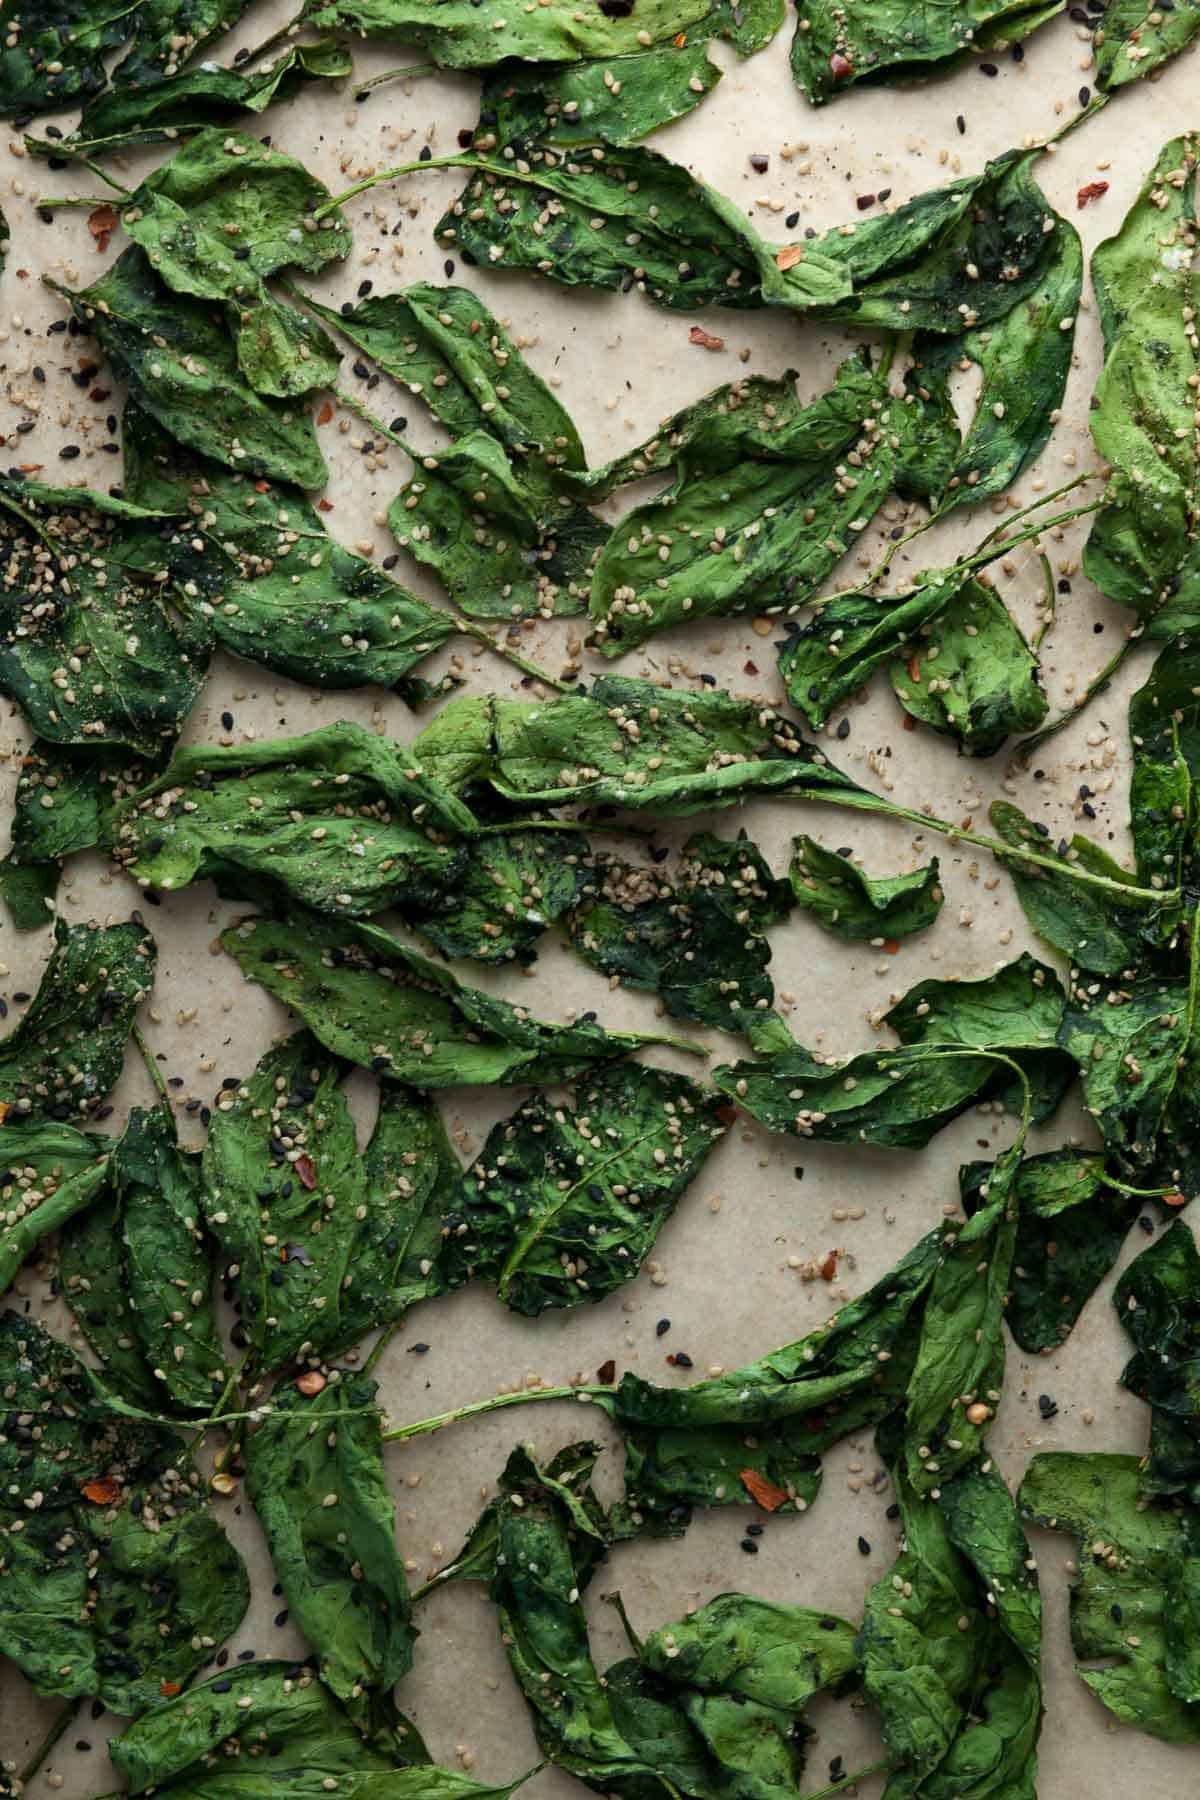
(260, 568)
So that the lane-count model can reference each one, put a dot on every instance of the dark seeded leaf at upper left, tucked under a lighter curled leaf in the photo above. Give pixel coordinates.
(183, 370)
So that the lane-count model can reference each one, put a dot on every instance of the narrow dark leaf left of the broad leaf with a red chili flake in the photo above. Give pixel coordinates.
(138, 1275)
